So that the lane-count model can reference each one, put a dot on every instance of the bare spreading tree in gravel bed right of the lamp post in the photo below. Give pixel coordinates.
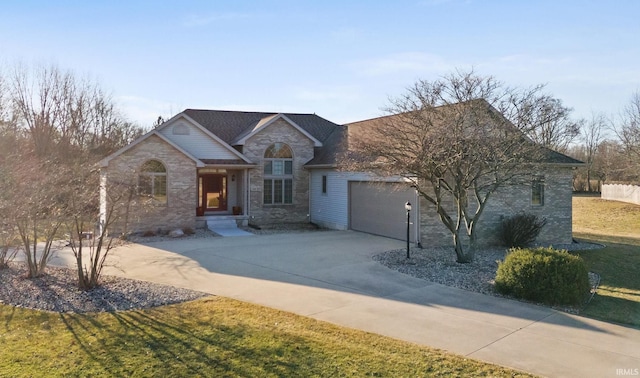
(449, 139)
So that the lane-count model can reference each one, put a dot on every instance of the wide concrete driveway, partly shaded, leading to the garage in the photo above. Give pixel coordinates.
(330, 276)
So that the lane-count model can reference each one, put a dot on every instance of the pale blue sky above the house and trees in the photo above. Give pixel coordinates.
(339, 59)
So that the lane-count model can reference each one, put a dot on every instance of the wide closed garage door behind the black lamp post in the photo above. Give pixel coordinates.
(378, 208)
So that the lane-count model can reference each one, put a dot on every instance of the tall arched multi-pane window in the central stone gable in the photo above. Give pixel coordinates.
(278, 175)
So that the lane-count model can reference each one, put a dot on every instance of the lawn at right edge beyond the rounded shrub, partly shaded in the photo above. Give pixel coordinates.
(617, 225)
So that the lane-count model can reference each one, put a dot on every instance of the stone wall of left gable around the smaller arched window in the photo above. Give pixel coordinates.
(179, 212)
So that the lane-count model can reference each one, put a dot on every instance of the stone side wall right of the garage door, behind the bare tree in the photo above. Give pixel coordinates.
(506, 202)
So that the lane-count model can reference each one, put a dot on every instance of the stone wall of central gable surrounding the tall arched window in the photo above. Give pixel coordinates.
(303, 149)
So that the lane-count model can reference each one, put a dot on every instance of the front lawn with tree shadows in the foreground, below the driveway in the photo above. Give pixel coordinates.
(211, 337)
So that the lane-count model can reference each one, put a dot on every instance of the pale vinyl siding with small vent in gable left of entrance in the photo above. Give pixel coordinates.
(196, 142)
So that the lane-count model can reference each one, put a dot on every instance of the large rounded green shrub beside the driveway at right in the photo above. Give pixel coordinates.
(543, 275)
